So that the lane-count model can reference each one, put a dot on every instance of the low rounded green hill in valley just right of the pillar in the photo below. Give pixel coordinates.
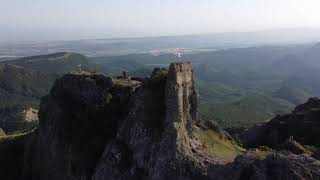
(245, 111)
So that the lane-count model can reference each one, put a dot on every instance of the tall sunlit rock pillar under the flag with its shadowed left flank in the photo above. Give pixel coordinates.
(158, 131)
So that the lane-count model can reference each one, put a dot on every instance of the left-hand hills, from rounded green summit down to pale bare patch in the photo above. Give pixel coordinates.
(24, 81)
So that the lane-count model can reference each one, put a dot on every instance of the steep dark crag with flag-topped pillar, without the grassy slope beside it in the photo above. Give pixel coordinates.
(151, 136)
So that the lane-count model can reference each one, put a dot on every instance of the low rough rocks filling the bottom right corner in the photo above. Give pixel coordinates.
(275, 166)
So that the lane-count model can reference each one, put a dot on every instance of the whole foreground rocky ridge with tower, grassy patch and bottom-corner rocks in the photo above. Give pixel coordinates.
(95, 127)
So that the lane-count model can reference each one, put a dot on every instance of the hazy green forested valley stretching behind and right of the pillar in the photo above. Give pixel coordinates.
(238, 87)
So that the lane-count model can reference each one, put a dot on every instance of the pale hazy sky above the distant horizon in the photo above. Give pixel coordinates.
(75, 19)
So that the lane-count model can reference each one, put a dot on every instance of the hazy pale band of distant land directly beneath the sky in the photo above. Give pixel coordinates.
(163, 44)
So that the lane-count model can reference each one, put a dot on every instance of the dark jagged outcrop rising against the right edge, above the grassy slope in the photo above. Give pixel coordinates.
(303, 124)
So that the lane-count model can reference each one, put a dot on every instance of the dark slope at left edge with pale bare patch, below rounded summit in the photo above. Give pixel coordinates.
(20, 93)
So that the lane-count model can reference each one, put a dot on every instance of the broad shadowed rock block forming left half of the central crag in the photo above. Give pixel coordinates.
(77, 119)
